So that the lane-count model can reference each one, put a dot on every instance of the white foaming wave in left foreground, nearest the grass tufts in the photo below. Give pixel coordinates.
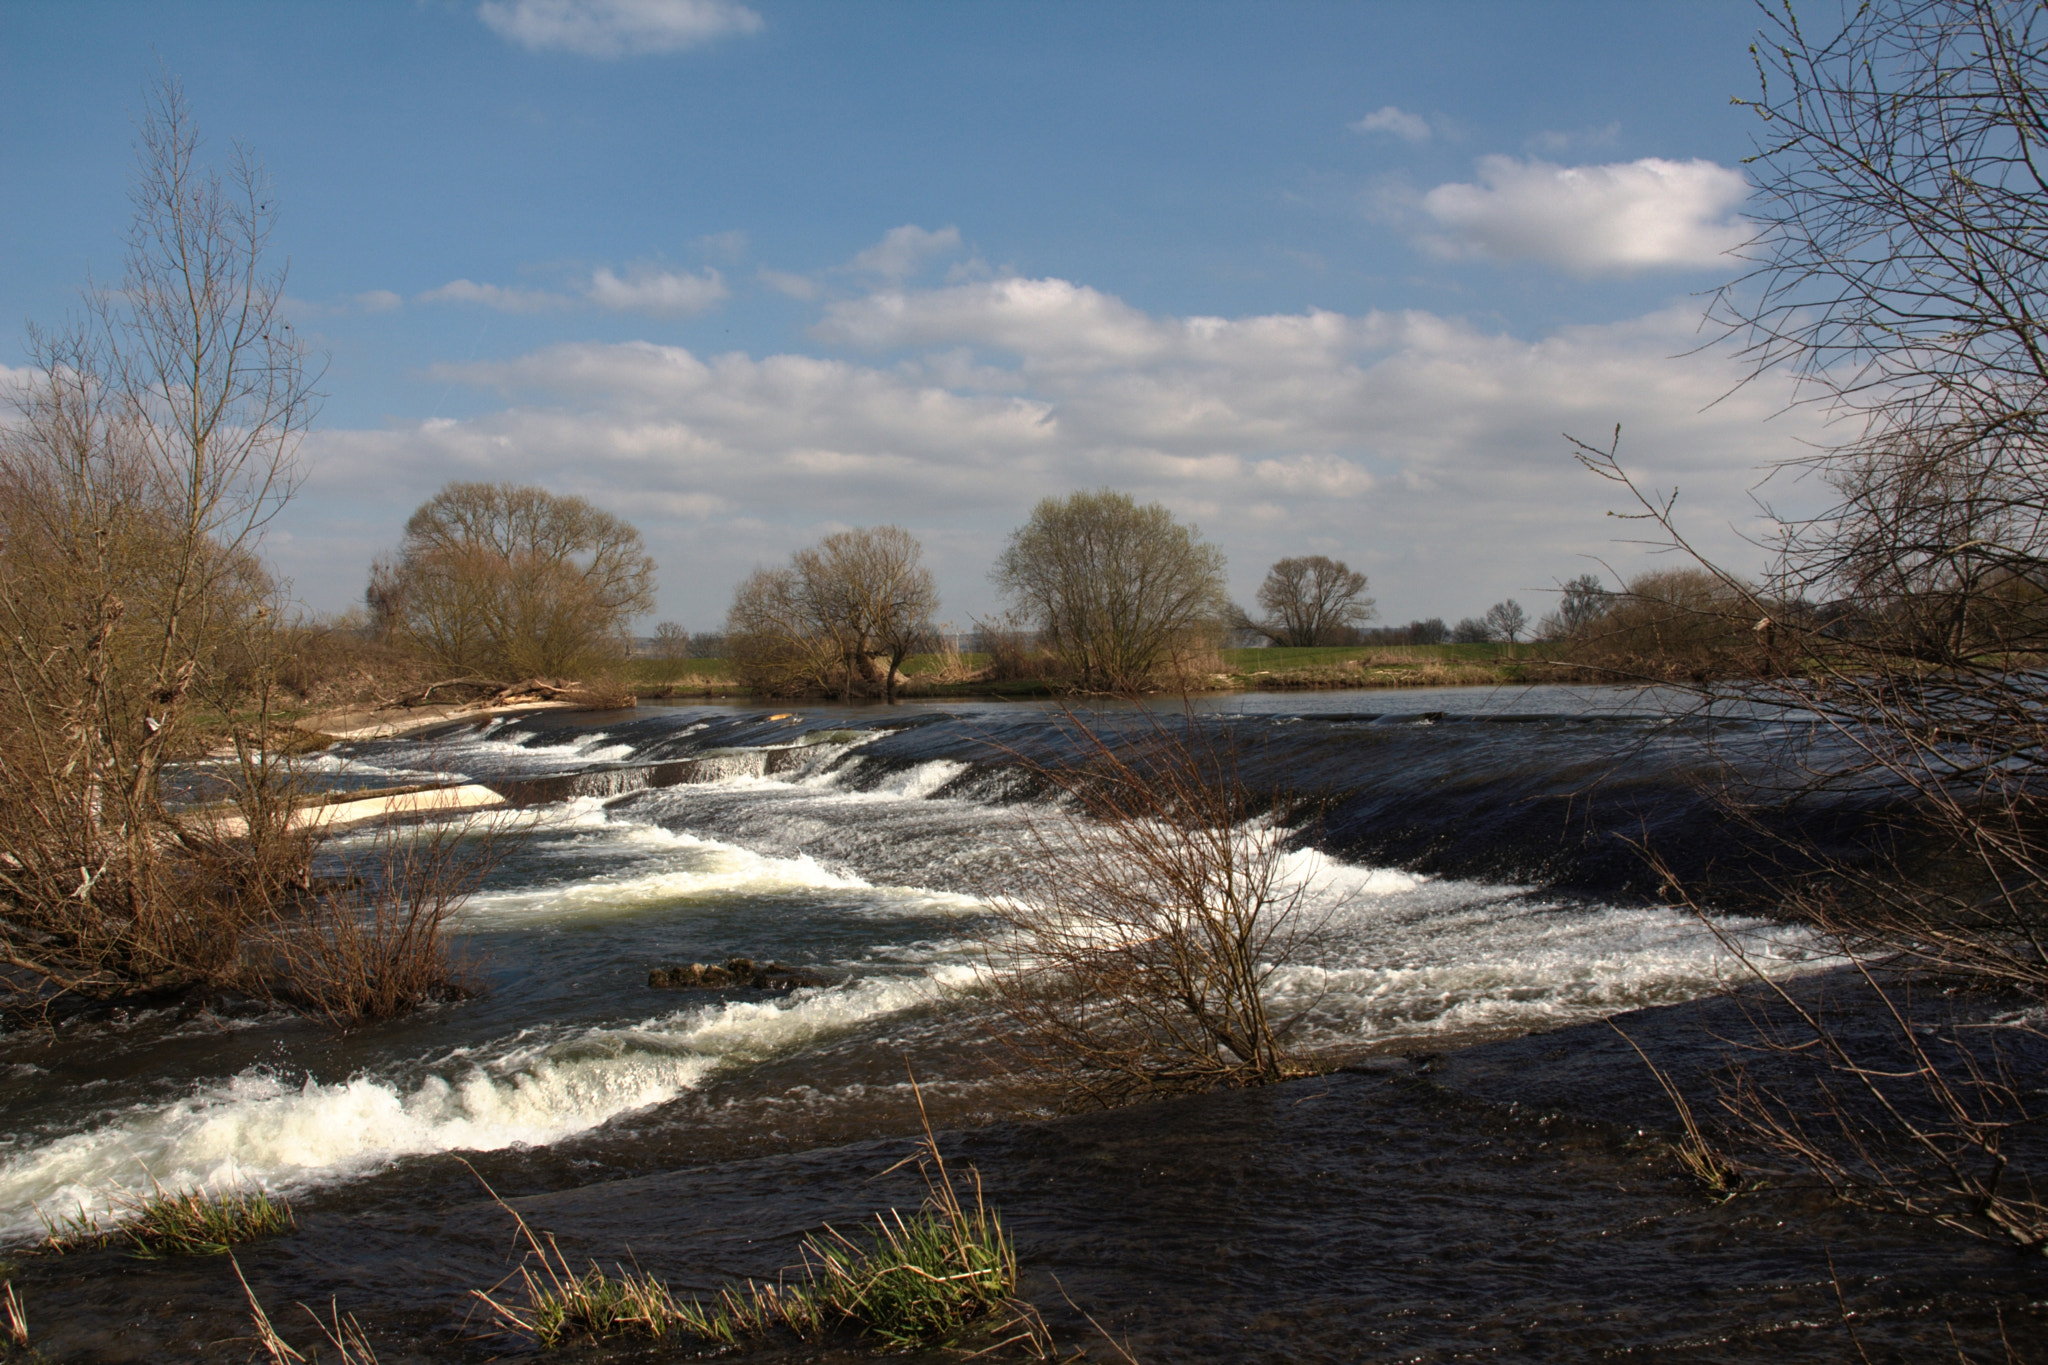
(259, 1131)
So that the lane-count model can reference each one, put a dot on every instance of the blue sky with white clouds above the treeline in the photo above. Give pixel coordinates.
(1324, 279)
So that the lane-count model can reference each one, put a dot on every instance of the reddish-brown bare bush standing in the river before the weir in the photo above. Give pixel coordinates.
(1148, 922)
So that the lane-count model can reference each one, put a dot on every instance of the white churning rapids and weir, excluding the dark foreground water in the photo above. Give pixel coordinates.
(1469, 856)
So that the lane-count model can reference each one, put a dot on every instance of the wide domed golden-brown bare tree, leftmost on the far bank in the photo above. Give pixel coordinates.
(507, 580)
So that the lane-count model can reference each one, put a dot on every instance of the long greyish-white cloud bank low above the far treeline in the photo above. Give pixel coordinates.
(1418, 447)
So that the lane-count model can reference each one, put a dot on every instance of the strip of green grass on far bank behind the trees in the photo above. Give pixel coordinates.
(1234, 670)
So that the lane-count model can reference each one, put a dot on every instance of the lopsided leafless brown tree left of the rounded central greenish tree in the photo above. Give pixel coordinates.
(845, 615)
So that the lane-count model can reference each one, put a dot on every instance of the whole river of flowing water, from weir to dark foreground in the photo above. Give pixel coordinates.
(1476, 1178)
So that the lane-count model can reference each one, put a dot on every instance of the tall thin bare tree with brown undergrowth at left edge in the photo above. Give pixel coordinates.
(155, 441)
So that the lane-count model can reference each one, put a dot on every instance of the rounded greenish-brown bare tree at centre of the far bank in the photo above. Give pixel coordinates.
(1115, 590)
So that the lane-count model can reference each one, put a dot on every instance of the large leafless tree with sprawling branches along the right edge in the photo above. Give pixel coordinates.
(1902, 275)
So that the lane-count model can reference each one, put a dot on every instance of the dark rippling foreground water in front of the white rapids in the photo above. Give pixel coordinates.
(1510, 1200)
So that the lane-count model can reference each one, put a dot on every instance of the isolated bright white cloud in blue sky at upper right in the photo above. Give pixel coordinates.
(1592, 220)
